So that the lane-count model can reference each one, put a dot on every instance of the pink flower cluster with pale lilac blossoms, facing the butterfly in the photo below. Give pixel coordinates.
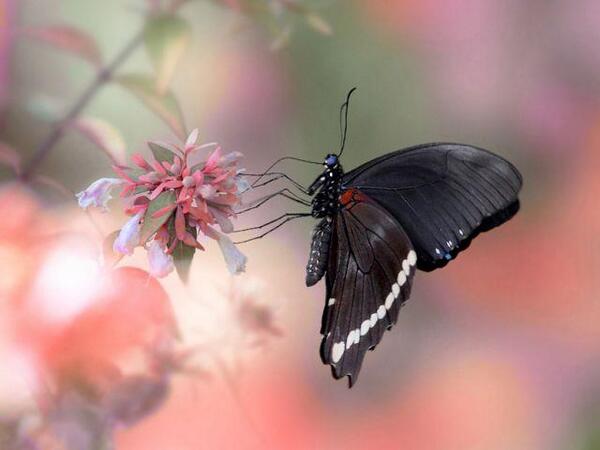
(172, 198)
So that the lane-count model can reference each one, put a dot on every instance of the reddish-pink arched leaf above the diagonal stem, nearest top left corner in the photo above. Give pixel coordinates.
(69, 39)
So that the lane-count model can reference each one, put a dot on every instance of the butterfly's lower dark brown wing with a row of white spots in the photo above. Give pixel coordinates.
(369, 276)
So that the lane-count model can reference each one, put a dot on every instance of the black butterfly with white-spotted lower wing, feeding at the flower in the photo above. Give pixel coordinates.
(413, 209)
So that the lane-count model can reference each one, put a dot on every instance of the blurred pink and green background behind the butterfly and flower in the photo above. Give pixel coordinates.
(500, 350)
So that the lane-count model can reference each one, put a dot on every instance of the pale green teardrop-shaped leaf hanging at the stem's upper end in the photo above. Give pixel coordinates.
(166, 38)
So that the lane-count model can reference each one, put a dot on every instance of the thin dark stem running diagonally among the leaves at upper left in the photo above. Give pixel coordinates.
(103, 76)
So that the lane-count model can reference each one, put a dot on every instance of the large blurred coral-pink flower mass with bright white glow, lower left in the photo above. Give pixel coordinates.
(85, 339)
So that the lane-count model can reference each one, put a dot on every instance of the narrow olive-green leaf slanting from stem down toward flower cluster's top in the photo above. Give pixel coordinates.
(165, 106)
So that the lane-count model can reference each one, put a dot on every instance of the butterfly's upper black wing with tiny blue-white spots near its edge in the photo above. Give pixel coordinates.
(443, 195)
